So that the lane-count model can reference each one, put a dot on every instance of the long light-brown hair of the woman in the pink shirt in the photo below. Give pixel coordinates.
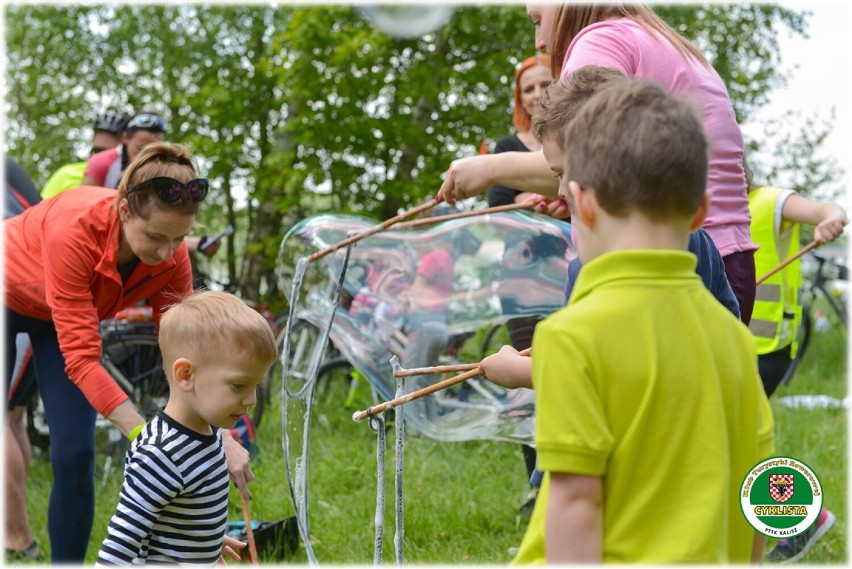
(570, 19)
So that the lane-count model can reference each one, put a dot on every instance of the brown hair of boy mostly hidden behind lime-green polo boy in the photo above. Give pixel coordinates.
(562, 100)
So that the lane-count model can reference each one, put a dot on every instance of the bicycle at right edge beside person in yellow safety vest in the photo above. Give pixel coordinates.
(827, 271)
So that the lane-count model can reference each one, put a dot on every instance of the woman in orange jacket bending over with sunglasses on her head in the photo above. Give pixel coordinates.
(72, 261)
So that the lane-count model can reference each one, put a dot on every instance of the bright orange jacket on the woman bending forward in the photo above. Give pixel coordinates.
(60, 265)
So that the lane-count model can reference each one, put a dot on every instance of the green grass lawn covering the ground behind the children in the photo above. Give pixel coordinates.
(461, 499)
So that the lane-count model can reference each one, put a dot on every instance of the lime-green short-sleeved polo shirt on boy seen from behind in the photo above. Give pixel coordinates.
(646, 381)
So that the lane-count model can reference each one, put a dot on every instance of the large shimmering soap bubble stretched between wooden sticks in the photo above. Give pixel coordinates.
(433, 296)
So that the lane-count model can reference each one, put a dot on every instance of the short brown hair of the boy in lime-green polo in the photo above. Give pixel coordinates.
(639, 148)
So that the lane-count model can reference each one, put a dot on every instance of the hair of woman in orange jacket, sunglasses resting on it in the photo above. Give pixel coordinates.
(158, 159)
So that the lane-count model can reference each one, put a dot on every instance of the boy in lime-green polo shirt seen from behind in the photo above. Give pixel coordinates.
(649, 408)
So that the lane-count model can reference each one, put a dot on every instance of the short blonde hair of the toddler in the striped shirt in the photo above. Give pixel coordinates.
(210, 323)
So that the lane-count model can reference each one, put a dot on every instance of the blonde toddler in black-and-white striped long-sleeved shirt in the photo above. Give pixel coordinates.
(173, 504)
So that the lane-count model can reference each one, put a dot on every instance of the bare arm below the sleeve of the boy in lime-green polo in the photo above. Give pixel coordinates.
(574, 524)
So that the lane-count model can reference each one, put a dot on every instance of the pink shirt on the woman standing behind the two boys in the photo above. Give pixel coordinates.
(624, 45)
